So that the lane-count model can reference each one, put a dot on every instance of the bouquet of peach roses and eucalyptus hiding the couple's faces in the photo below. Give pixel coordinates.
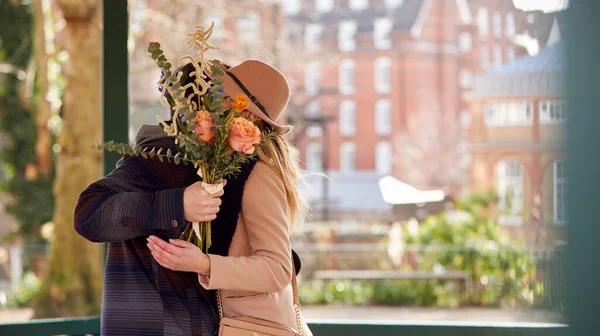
(211, 131)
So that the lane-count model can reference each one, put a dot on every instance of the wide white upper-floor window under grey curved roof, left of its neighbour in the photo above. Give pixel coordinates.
(513, 113)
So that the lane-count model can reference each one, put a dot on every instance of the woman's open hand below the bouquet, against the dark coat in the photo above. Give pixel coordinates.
(179, 255)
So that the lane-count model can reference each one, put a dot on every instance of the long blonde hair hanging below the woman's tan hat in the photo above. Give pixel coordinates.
(283, 157)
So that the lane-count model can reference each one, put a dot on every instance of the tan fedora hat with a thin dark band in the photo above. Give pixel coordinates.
(266, 87)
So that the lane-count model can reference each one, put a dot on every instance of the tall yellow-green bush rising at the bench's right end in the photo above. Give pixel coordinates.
(501, 271)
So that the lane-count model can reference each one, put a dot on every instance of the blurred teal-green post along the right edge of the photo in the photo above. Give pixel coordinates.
(583, 138)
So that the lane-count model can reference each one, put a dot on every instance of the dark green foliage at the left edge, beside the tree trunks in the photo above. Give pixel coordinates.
(33, 200)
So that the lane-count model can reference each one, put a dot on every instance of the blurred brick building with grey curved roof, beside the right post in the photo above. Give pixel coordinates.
(516, 142)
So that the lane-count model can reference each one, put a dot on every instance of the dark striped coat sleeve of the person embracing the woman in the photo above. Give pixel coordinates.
(125, 204)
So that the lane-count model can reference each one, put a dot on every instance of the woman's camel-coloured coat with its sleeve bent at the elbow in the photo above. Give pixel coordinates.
(255, 277)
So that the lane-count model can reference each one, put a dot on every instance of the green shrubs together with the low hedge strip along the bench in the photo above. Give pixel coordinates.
(501, 272)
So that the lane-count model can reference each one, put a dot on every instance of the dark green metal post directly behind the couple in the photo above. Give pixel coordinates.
(115, 72)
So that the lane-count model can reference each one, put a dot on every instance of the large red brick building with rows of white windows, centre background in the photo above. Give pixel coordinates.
(392, 77)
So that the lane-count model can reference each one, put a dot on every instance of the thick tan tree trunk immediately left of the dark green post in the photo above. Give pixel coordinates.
(73, 284)
